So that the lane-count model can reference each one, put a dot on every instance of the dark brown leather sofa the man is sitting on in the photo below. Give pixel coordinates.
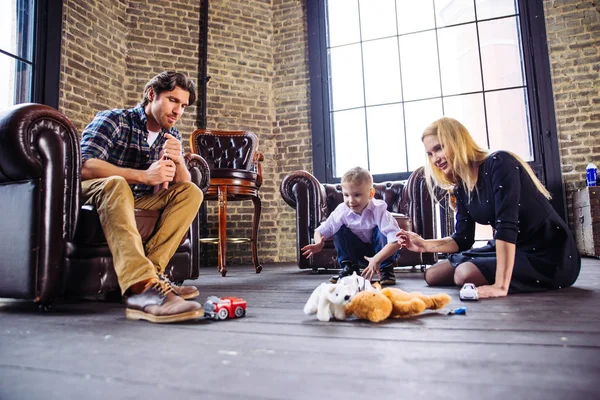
(51, 246)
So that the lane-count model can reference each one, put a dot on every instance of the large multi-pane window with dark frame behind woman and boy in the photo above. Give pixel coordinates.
(382, 70)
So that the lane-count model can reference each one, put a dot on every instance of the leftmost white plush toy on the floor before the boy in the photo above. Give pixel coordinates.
(328, 301)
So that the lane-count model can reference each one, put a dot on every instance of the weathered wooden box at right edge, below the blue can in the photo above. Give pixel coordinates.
(586, 210)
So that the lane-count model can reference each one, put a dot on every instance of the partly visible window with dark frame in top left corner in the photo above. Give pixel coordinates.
(30, 51)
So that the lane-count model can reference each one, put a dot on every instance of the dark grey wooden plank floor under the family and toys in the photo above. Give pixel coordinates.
(538, 346)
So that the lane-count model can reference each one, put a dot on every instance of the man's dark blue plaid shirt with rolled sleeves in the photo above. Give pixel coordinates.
(120, 137)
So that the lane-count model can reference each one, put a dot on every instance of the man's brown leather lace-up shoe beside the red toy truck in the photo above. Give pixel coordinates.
(157, 303)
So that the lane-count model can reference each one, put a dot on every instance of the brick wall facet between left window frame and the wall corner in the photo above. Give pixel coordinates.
(92, 61)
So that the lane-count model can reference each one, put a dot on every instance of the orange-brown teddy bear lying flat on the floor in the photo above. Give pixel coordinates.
(393, 303)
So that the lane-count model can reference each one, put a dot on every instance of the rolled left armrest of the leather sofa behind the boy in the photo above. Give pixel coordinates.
(303, 192)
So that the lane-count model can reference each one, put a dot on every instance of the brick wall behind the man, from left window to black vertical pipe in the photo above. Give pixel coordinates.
(111, 48)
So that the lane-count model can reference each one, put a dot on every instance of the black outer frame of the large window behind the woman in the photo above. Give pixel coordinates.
(541, 102)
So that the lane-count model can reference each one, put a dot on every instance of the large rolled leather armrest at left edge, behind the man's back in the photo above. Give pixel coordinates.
(40, 145)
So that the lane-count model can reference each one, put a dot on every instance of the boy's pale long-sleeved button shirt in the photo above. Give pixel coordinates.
(375, 214)
